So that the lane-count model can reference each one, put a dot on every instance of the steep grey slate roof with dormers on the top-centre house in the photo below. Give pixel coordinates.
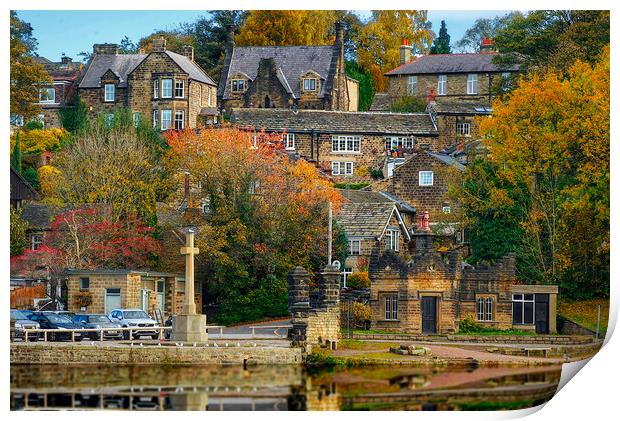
(293, 62)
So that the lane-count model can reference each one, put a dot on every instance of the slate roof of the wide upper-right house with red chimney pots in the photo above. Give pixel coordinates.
(450, 63)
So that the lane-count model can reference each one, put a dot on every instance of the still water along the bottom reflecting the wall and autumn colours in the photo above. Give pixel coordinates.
(274, 388)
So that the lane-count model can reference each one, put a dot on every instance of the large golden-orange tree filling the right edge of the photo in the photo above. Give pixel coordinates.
(548, 177)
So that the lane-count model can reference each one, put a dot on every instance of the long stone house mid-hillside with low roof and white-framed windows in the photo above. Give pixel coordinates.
(346, 145)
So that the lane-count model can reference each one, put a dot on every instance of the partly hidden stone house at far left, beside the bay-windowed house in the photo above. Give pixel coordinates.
(62, 92)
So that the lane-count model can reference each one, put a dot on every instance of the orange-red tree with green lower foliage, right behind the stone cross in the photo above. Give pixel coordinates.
(265, 215)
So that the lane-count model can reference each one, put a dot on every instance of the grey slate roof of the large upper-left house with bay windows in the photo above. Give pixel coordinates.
(123, 64)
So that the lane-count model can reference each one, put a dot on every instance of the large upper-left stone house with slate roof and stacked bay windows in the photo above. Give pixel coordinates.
(162, 88)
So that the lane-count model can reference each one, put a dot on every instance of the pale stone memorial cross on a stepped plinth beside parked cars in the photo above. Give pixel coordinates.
(189, 326)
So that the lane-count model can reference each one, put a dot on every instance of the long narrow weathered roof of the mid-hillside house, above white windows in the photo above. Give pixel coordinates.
(333, 121)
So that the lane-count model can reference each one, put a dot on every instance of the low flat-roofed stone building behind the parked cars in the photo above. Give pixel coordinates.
(102, 290)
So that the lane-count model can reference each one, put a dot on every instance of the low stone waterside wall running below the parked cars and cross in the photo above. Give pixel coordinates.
(69, 353)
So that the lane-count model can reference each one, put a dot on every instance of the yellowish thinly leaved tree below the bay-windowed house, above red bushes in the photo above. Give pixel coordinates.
(117, 166)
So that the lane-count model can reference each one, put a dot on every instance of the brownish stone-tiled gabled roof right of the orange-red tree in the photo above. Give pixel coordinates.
(367, 220)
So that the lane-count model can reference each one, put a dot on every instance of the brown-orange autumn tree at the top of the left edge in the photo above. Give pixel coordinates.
(26, 73)
